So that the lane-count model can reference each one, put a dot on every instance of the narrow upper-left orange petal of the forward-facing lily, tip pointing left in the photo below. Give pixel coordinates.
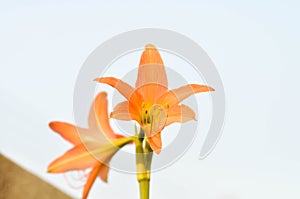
(125, 89)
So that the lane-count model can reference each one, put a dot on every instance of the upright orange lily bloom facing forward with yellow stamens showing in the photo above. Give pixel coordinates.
(151, 103)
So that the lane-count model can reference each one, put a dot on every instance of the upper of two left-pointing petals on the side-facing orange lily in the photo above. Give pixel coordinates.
(68, 131)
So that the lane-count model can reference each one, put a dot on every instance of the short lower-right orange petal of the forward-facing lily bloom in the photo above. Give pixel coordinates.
(180, 113)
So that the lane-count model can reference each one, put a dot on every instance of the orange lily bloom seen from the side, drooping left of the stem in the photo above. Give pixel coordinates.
(93, 147)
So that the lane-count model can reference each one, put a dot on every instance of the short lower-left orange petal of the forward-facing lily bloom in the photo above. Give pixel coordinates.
(121, 112)
